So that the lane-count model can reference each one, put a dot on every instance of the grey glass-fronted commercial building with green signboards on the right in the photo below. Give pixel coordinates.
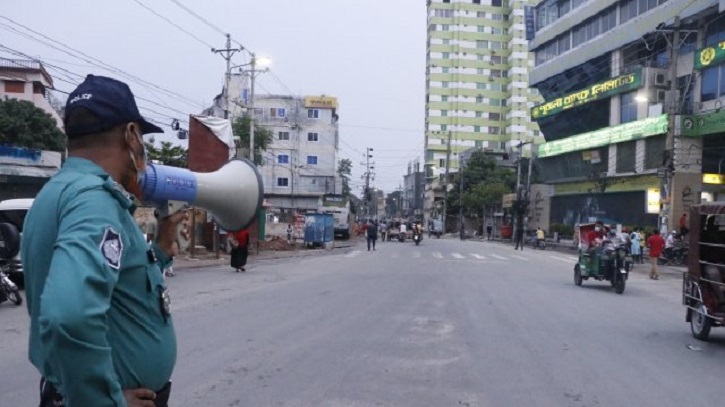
(628, 85)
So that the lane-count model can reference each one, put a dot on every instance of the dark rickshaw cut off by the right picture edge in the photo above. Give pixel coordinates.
(703, 284)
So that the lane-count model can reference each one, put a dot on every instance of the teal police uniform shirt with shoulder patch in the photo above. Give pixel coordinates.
(94, 289)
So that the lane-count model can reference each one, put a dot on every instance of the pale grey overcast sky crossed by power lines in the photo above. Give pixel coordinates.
(370, 54)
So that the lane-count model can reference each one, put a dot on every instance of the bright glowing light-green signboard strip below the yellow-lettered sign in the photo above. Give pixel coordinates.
(610, 135)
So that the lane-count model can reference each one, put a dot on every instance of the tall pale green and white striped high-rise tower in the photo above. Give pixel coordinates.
(477, 92)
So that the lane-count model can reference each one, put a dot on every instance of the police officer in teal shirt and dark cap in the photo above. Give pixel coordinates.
(101, 332)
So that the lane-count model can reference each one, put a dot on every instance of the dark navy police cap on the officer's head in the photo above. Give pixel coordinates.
(110, 100)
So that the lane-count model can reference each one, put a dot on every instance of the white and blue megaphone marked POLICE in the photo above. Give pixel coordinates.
(233, 194)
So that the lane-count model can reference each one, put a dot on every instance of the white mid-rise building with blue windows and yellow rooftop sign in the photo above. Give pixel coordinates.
(300, 165)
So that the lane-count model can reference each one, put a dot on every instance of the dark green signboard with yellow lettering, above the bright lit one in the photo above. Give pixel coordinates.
(611, 87)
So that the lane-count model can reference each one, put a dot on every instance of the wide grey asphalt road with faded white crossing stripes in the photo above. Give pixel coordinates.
(447, 323)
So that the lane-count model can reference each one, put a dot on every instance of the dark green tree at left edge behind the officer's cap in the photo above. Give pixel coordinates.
(22, 124)
